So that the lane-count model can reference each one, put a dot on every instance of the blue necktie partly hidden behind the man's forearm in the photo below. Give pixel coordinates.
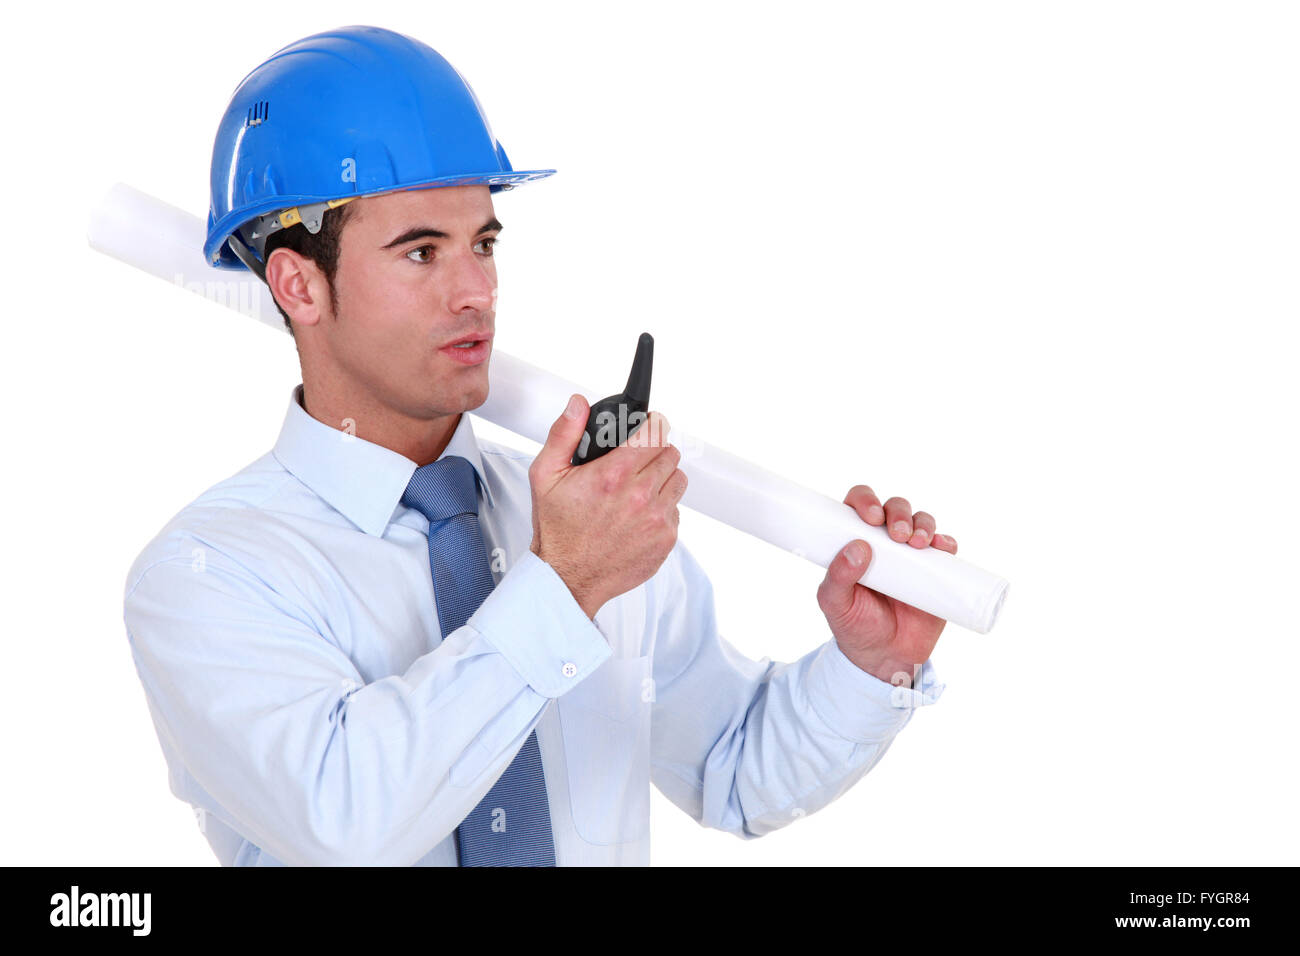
(513, 824)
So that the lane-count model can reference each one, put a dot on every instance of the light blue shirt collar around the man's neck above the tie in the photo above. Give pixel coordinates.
(359, 479)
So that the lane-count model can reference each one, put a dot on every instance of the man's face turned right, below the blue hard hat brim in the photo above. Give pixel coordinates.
(415, 274)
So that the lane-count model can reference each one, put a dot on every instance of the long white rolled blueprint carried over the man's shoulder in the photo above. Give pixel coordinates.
(168, 243)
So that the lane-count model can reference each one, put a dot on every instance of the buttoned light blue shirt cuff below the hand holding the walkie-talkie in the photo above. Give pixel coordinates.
(532, 618)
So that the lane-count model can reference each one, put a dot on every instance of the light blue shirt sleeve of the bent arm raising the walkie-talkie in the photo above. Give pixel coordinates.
(311, 763)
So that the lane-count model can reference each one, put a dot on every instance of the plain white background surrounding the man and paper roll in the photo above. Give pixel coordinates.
(1032, 266)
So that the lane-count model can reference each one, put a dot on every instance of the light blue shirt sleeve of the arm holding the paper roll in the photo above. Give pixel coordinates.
(751, 746)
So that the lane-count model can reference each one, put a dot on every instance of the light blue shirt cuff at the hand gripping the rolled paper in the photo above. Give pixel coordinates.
(859, 706)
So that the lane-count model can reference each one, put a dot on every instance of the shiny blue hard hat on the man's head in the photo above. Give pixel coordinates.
(340, 115)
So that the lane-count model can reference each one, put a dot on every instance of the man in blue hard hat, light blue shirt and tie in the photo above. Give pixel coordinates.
(389, 643)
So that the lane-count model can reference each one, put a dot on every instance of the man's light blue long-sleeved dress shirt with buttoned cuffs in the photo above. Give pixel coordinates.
(285, 631)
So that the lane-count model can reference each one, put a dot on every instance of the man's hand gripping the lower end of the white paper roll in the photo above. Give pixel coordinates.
(883, 637)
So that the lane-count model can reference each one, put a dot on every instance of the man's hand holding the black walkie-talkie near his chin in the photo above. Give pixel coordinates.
(609, 525)
